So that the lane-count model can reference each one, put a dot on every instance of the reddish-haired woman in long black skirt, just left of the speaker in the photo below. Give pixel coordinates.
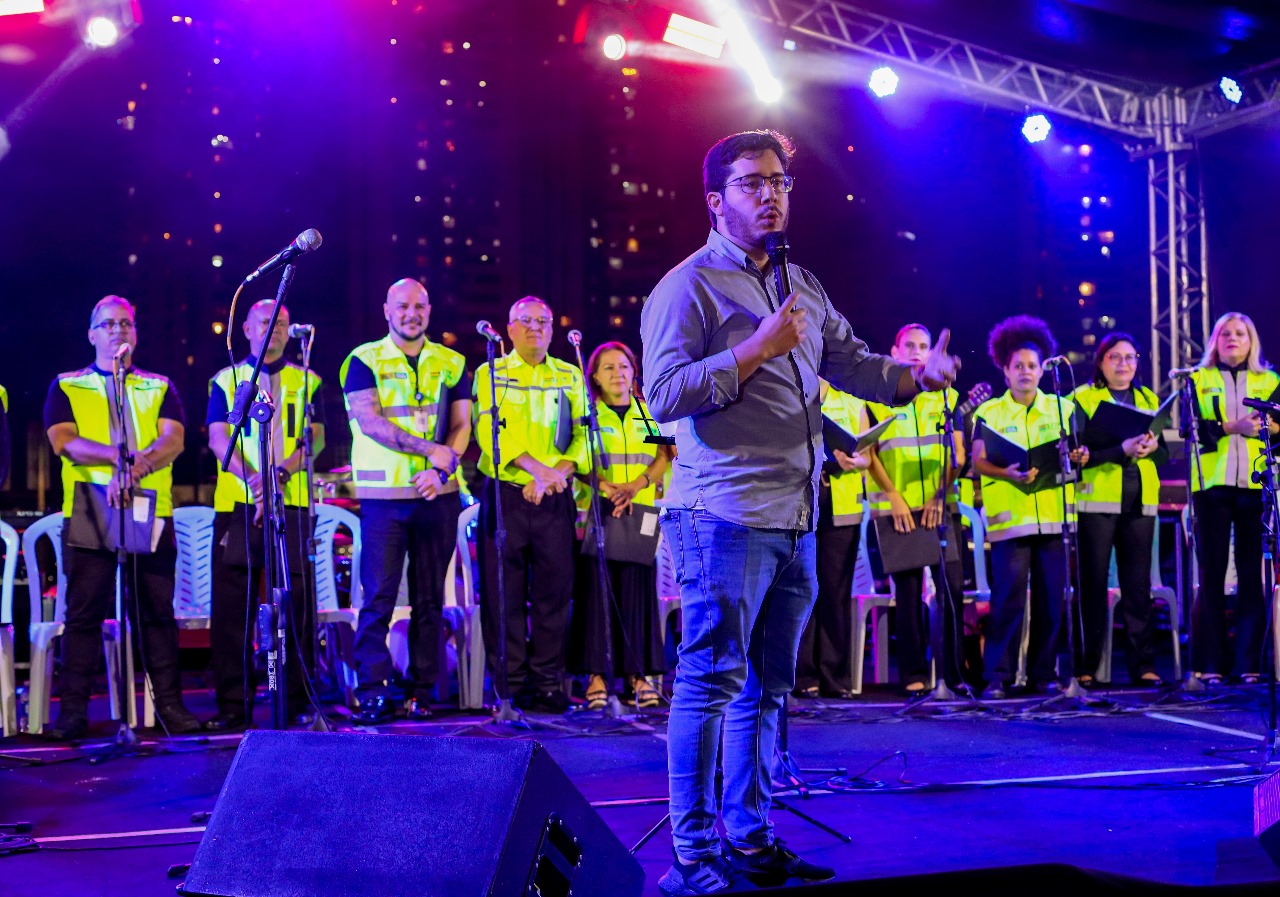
(628, 487)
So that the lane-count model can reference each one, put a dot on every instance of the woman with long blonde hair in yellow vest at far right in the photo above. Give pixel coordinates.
(1226, 496)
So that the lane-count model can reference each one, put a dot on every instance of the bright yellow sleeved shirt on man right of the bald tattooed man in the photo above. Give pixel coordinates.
(542, 408)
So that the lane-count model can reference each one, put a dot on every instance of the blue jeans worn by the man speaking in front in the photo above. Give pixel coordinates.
(746, 596)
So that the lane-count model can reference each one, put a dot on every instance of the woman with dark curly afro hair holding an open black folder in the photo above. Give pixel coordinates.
(1025, 528)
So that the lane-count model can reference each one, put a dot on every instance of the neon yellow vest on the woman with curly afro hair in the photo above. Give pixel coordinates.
(1011, 511)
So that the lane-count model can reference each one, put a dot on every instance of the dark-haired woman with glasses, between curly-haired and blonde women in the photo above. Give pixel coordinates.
(1118, 500)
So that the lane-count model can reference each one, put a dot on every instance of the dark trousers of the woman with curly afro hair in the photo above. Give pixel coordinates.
(1016, 562)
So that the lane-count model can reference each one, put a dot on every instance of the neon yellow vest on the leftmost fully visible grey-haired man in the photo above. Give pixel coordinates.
(86, 390)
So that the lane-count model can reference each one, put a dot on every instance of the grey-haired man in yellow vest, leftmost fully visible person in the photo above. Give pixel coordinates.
(86, 432)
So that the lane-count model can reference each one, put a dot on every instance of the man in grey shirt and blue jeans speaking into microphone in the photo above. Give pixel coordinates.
(742, 365)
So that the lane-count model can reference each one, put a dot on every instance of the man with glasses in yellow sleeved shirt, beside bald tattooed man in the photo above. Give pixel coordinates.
(542, 443)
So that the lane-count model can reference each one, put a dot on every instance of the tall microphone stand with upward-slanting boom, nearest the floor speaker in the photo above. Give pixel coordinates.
(275, 620)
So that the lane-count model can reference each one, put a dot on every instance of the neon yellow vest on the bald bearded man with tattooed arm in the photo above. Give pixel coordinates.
(412, 401)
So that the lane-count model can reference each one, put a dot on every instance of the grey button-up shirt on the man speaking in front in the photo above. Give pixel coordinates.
(751, 451)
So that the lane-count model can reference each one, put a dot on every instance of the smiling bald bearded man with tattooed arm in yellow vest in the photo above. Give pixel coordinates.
(410, 420)
